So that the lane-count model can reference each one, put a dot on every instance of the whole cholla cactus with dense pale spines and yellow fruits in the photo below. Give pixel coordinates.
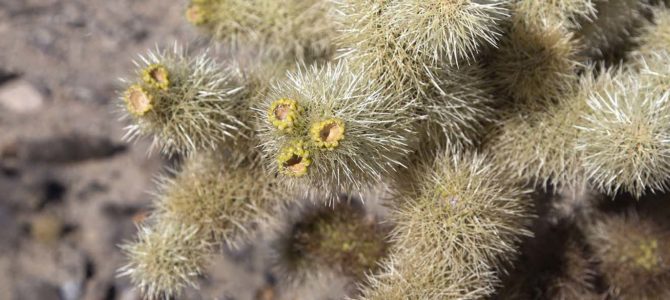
(569, 97)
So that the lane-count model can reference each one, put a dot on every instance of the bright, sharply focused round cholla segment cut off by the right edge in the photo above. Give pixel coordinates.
(625, 139)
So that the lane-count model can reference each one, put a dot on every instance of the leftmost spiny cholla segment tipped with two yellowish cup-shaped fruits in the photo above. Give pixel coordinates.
(186, 103)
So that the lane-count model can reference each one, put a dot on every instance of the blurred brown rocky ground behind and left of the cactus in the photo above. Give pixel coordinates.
(70, 189)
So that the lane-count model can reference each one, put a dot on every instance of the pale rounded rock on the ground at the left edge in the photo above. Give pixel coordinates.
(20, 96)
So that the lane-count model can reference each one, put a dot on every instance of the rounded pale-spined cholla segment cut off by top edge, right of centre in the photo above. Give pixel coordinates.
(446, 31)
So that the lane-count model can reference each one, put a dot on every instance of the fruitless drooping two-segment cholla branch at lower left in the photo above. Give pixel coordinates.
(208, 205)
